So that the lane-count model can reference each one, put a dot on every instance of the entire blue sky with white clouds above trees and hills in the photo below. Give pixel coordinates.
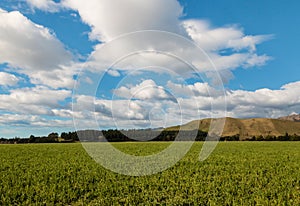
(72, 64)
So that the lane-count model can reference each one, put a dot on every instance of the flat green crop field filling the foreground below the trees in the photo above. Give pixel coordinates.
(236, 173)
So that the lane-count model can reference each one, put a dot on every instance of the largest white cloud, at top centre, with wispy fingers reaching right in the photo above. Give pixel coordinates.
(222, 48)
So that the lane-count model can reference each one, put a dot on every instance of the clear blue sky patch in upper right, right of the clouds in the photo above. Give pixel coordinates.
(279, 18)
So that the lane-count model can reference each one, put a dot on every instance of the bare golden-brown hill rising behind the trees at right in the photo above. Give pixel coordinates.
(246, 128)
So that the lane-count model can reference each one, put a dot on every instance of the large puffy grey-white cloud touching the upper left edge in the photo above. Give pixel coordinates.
(34, 50)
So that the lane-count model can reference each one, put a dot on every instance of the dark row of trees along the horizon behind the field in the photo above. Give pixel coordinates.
(138, 135)
